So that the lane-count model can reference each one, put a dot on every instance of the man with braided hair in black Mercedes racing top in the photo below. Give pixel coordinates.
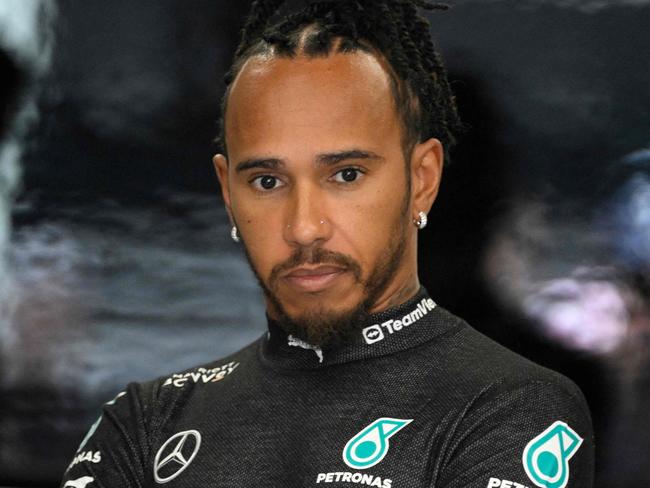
(336, 122)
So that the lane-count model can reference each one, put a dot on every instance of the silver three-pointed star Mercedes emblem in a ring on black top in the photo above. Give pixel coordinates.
(175, 455)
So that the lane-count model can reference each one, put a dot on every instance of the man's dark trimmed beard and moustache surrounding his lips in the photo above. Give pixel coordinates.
(324, 327)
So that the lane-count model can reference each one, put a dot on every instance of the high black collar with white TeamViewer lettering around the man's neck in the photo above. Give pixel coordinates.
(413, 322)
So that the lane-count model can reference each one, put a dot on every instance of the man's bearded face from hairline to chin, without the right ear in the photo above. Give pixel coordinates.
(316, 179)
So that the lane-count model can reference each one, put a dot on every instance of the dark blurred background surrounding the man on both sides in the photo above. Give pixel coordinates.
(116, 262)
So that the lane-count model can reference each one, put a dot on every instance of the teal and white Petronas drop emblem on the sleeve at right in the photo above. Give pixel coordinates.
(546, 457)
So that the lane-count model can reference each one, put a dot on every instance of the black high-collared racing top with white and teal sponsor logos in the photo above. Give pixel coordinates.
(419, 399)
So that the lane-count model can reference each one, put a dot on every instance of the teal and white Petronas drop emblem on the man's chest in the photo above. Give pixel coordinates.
(369, 446)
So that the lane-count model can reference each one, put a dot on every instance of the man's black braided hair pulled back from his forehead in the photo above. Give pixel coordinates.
(393, 29)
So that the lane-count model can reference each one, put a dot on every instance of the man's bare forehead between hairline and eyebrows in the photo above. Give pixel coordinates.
(288, 104)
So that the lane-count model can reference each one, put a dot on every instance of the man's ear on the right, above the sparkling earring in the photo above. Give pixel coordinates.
(426, 171)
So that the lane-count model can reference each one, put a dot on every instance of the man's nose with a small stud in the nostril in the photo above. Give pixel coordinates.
(306, 221)
